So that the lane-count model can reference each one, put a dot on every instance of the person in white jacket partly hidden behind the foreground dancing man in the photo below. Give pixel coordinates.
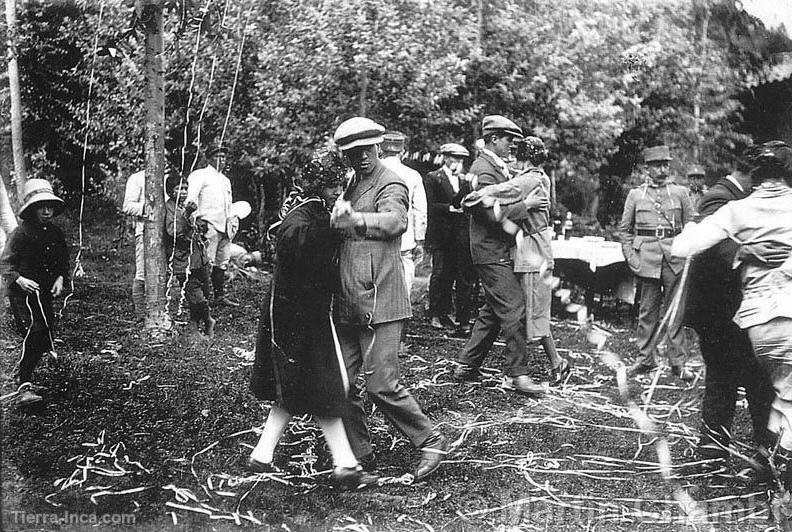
(413, 239)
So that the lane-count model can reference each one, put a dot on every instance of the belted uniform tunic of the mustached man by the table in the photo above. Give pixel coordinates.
(648, 208)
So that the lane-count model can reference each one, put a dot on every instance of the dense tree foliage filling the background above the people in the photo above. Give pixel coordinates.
(597, 79)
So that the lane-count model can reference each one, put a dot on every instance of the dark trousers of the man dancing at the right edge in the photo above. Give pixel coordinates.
(730, 363)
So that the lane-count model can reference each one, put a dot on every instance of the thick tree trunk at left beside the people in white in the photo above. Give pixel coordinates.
(157, 318)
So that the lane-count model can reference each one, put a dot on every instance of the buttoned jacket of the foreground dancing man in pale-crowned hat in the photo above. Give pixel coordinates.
(373, 289)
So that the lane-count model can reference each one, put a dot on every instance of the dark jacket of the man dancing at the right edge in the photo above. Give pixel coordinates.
(714, 288)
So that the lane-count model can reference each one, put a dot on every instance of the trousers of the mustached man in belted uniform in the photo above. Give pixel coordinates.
(656, 295)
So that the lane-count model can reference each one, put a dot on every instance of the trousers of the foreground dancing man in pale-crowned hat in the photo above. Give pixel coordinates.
(374, 350)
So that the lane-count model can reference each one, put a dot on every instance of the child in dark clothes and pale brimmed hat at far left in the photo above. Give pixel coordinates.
(35, 268)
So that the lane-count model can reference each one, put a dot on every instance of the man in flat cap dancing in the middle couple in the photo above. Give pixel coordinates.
(490, 249)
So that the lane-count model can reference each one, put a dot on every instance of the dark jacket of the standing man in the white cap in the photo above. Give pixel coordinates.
(444, 228)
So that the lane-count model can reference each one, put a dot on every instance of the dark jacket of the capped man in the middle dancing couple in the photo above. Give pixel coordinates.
(489, 243)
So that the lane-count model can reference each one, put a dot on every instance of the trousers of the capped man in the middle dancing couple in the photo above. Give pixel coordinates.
(504, 310)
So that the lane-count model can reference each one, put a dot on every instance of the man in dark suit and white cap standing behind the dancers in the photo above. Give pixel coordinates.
(448, 238)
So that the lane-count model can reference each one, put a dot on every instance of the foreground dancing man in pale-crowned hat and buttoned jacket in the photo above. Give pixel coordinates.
(373, 302)
